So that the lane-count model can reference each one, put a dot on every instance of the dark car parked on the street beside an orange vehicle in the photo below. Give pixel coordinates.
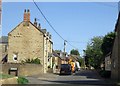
(65, 69)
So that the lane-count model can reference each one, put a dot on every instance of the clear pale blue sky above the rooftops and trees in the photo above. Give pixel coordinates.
(76, 22)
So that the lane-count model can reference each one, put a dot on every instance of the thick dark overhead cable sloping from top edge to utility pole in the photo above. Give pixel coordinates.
(51, 25)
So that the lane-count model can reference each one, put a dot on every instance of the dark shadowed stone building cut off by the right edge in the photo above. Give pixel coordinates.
(115, 57)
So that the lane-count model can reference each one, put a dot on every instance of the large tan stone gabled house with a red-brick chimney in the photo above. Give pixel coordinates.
(29, 41)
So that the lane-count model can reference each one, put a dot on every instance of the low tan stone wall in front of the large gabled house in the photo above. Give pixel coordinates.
(23, 69)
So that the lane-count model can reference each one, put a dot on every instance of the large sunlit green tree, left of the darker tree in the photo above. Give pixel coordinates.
(93, 53)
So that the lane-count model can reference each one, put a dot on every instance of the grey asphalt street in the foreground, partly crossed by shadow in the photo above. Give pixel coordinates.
(82, 77)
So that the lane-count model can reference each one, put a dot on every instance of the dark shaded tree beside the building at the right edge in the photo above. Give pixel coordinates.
(108, 42)
